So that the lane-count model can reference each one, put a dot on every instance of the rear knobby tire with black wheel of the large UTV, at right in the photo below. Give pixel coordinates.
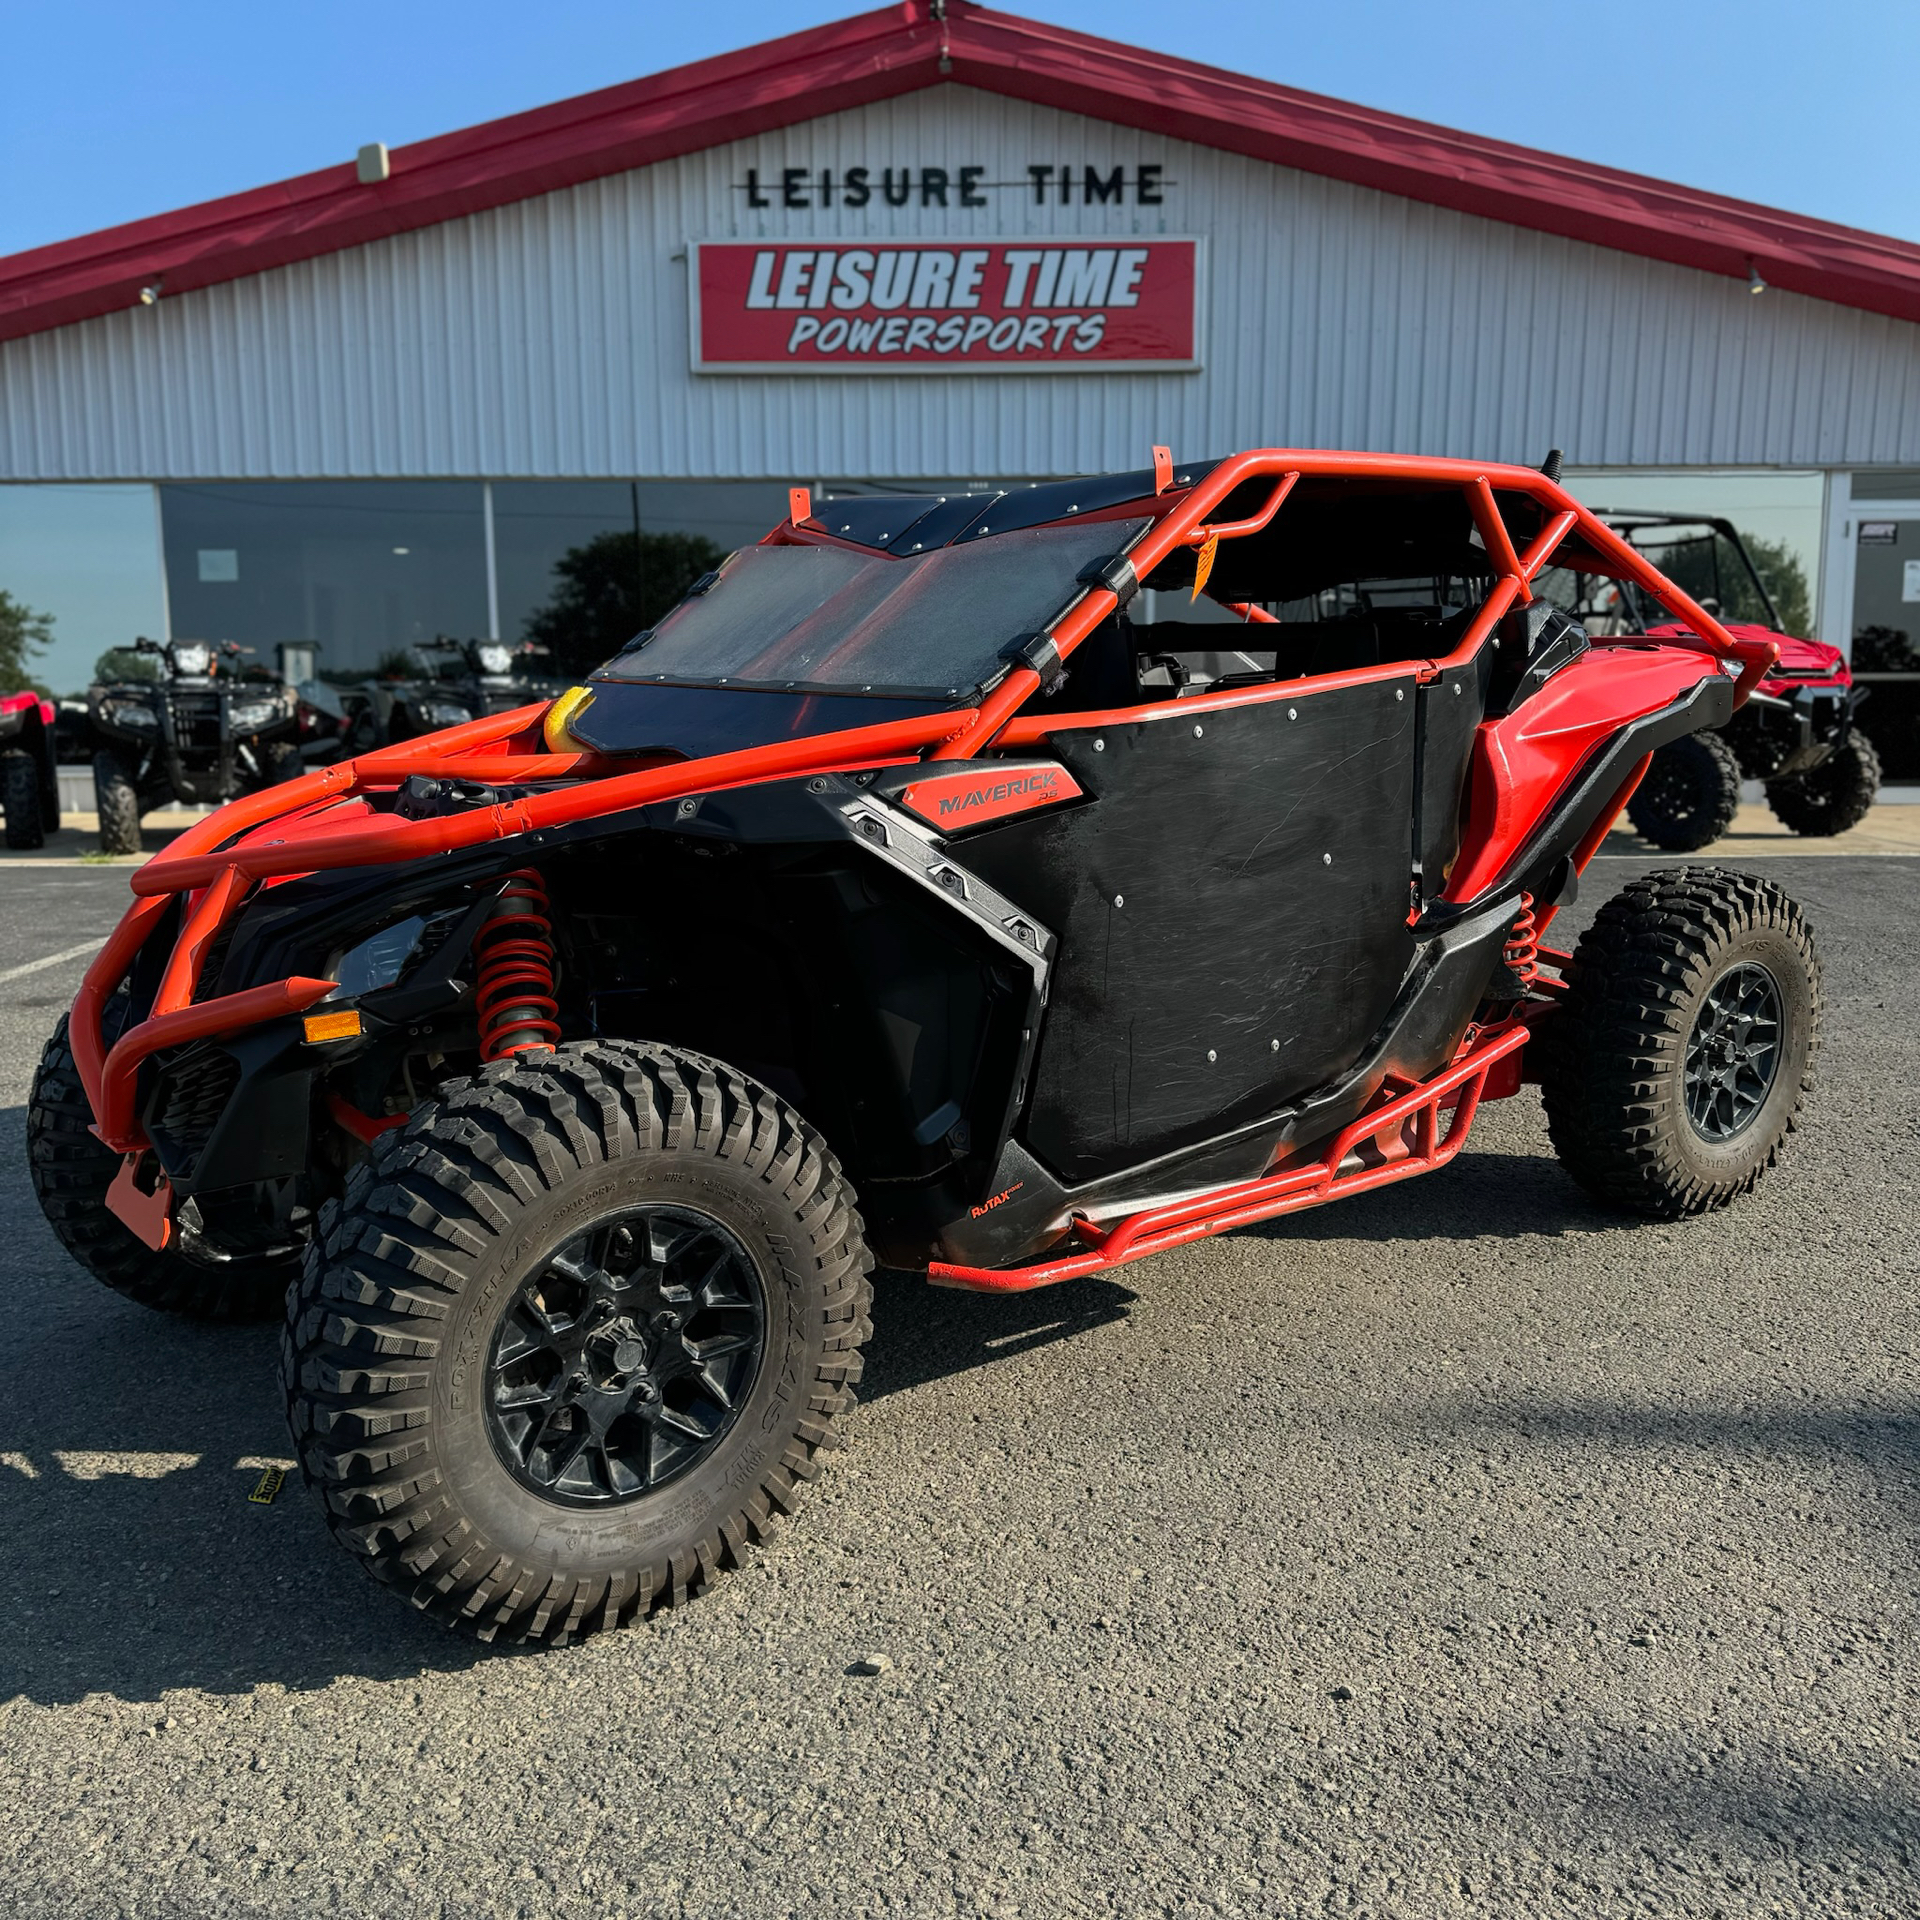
(1675, 1070)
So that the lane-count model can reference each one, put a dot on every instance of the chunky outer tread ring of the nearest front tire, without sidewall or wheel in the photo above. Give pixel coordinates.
(385, 1272)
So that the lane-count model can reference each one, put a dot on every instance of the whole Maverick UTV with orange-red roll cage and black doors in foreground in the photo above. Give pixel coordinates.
(564, 1074)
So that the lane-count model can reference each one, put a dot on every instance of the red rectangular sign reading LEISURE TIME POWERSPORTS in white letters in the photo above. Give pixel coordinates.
(932, 306)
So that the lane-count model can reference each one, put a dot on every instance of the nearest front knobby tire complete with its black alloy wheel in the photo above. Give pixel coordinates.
(575, 1339)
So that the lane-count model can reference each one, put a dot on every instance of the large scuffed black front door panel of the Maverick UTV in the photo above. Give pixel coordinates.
(1232, 909)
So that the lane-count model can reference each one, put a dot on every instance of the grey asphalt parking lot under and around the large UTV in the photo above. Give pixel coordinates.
(1454, 1550)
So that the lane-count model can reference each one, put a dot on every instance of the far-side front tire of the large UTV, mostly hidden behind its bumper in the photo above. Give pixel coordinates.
(72, 1172)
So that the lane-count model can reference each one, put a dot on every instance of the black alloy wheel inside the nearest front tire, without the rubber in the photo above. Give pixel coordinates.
(627, 1356)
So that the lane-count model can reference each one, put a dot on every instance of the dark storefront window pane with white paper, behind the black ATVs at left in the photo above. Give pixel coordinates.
(366, 569)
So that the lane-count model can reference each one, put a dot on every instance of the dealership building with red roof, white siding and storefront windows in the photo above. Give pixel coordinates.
(919, 247)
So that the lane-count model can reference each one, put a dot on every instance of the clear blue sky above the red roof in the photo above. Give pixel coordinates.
(116, 110)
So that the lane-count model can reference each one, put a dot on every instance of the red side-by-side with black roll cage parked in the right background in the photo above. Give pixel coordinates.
(1796, 732)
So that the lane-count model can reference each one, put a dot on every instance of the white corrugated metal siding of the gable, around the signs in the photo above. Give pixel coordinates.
(550, 339)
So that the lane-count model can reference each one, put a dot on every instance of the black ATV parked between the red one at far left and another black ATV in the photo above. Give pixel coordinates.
(199, 732)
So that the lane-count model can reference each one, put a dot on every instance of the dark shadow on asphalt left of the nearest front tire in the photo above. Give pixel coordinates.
(135, 1560)
